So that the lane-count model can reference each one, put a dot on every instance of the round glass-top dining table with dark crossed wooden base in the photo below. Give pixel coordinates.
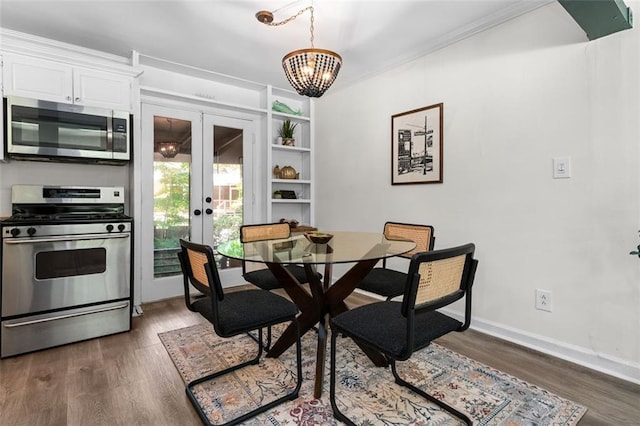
(323, 298)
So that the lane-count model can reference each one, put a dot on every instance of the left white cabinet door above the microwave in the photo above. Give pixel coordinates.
(38, 79)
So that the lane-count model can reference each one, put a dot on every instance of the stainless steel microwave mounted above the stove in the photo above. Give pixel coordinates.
(44, 130)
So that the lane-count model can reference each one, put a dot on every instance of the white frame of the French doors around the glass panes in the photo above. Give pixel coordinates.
(166, 287)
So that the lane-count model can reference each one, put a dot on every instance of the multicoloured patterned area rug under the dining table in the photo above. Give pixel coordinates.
(367, 394)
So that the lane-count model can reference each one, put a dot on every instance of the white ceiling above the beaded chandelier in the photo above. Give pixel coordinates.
(224, 36)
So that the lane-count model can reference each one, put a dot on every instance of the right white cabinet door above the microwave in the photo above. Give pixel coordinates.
(102, 89)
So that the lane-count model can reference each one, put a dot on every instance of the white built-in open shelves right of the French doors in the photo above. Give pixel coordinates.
(299, 156)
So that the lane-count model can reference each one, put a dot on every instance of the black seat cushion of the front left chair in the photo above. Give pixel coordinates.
(247, 310)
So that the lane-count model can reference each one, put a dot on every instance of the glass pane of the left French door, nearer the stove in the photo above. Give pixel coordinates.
(171, 172)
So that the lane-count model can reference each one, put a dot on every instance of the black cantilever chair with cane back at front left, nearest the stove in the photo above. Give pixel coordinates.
(232, 314)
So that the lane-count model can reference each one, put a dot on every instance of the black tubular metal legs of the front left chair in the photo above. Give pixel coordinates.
(288, 397)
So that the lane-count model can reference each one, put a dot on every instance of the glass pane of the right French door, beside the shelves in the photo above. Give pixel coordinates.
(227, 188)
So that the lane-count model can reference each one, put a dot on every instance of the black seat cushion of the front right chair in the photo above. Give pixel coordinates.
(382, 326)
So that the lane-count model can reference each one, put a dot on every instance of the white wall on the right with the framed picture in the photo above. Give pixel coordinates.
(514, 97)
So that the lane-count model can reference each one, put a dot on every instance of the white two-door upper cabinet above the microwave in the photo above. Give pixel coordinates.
(59, 82)
